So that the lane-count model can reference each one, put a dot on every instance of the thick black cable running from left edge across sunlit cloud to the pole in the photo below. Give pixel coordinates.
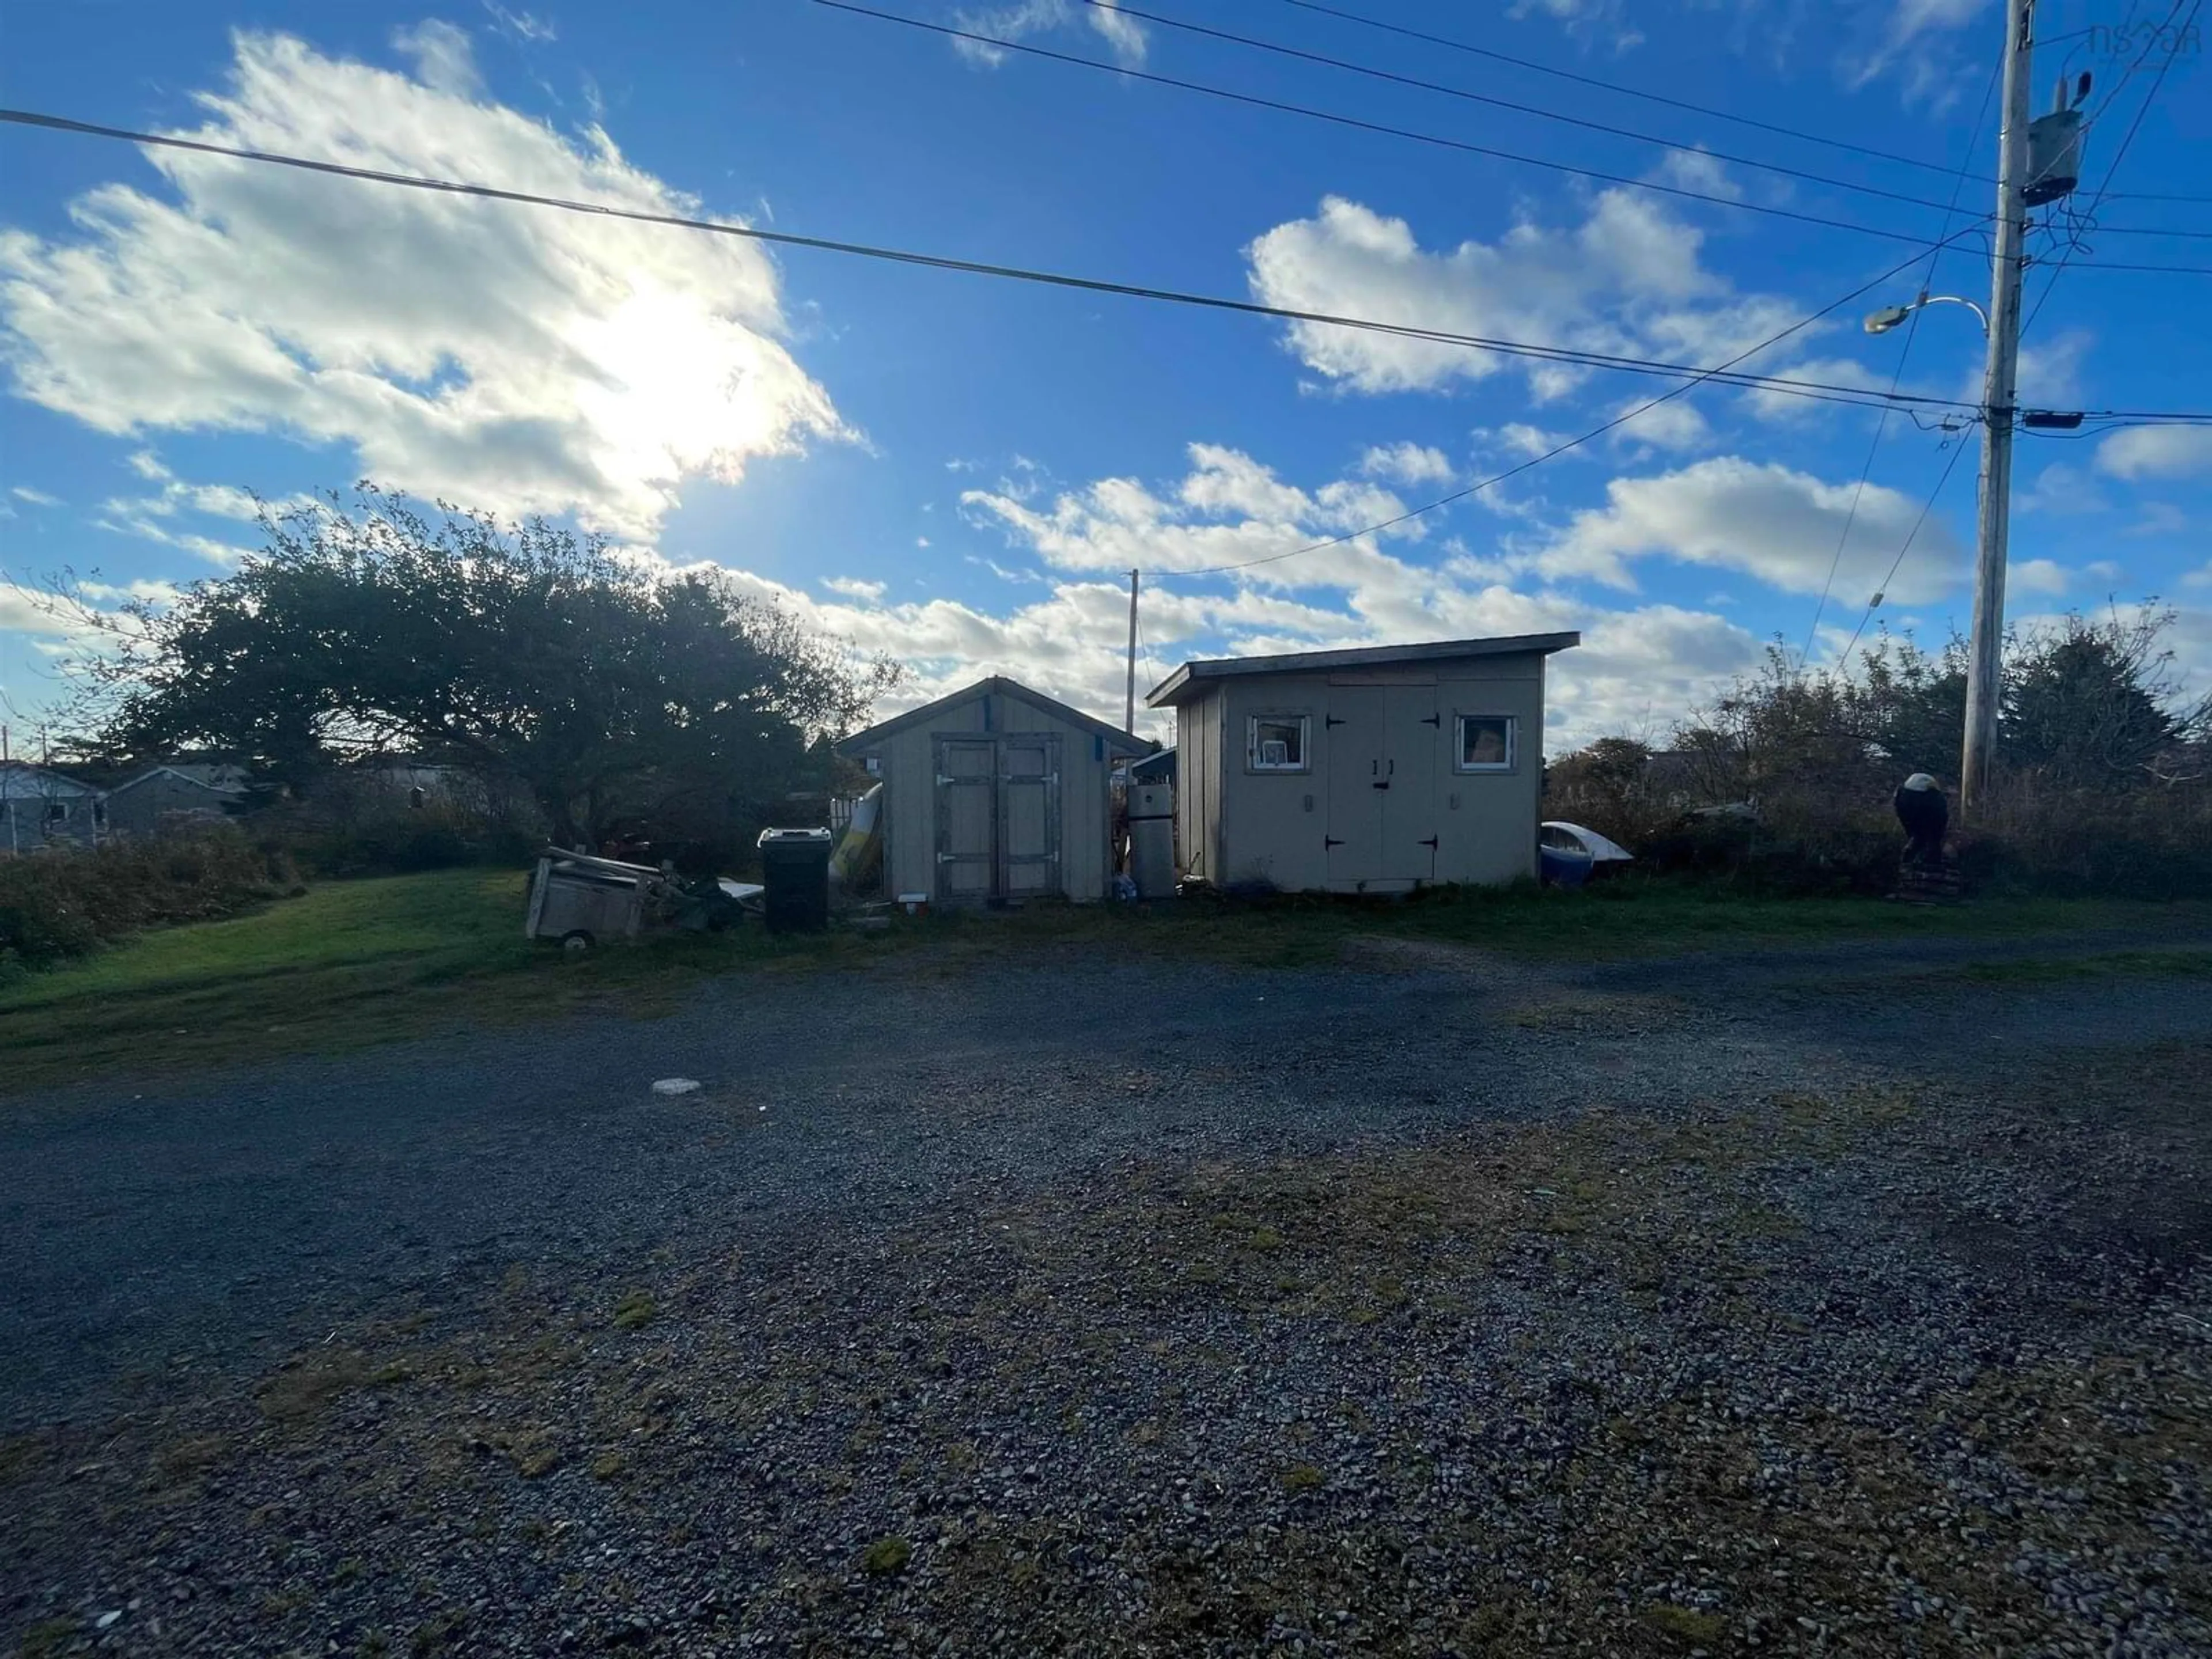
(1822, 390)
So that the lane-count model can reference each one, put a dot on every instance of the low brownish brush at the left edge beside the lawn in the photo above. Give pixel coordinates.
(63, 904)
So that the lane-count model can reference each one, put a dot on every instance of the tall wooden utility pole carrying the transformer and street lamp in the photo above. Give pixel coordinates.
(1985, 654)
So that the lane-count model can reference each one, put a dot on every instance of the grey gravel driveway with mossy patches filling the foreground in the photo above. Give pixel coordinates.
(1426, 1304)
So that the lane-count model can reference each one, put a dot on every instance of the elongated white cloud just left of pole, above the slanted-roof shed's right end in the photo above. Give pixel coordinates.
(1766, 521)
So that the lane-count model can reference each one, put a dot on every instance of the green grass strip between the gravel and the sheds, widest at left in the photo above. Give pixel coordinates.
(373, 961)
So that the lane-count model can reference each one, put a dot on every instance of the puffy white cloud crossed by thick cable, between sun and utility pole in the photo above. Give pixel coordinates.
(1629, 282)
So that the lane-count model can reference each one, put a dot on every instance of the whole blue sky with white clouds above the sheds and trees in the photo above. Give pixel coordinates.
(961, 470)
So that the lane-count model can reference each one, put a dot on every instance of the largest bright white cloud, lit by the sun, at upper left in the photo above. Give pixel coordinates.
(505, 357)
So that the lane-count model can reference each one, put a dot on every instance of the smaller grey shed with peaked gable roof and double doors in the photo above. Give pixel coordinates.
(994, 795)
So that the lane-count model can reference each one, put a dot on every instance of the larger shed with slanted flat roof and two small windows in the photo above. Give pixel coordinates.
(1370, 771)
